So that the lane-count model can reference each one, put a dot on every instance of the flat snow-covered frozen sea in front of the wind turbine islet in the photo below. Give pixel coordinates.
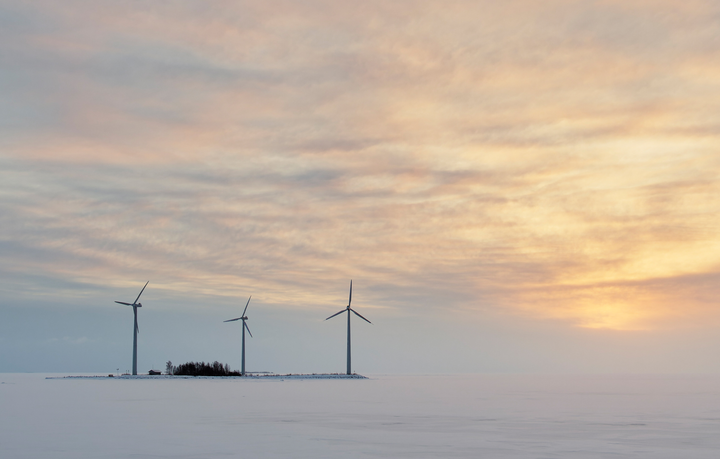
(456, 416)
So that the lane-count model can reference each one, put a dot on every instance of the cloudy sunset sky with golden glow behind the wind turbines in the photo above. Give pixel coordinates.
(512, 186)
